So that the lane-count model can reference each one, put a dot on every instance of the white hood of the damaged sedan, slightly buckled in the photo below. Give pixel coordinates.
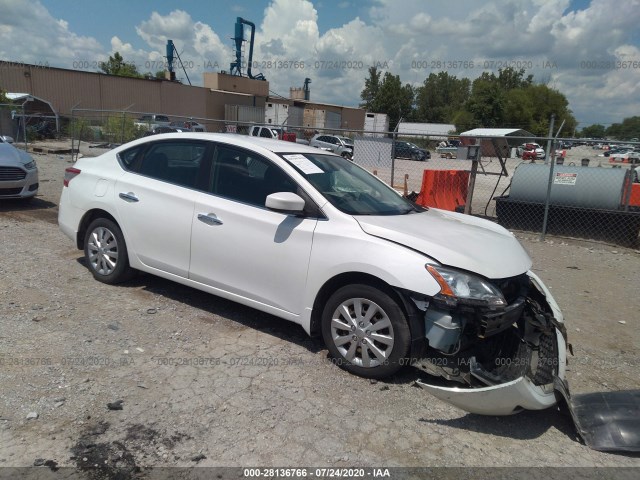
(454, 239)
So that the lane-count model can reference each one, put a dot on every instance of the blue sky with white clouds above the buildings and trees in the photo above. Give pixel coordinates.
(587, 49)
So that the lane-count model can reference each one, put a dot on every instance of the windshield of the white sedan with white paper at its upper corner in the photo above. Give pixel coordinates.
(348, 187)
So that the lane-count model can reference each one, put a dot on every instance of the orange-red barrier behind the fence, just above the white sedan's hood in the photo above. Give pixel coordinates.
(445, 189)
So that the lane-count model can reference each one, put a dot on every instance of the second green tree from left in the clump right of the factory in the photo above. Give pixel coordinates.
(440, 97)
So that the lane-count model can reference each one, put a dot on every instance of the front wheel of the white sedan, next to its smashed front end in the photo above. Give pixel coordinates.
(357, 347)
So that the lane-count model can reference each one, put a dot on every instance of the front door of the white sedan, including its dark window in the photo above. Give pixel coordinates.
(240, 246)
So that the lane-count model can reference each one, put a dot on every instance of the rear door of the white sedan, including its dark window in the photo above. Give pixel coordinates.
(155, 201)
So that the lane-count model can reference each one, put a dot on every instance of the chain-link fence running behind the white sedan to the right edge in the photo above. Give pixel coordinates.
(575, 192)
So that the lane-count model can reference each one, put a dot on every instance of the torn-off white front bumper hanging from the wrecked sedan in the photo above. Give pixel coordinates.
(513, 396)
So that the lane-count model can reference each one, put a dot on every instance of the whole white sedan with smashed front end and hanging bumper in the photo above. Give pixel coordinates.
(313, 238)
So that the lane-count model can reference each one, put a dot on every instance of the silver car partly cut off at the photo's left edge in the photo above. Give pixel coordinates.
(18, 172)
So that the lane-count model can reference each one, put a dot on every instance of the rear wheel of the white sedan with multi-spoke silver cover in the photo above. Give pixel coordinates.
(106, 252)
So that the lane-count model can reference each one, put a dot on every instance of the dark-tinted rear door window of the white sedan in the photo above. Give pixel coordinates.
(176, 162)
